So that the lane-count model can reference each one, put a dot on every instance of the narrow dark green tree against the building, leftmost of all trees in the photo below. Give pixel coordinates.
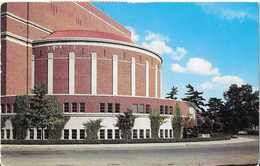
(20, 121)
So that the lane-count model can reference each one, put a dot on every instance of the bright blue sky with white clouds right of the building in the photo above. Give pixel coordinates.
(207, 45)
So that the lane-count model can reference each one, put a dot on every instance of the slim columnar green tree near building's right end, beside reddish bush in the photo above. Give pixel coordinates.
(177, 122)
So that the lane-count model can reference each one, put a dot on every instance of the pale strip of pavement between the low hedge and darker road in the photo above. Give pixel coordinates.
(117, 146)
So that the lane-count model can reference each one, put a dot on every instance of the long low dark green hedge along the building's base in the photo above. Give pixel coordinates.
(116, 141)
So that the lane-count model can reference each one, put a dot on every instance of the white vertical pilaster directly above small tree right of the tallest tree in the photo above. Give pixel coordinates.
(94, 73)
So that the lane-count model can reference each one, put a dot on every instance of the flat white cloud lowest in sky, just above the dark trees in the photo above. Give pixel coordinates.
(221, 82)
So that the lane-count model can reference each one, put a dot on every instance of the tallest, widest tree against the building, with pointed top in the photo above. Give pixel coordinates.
(44, 111)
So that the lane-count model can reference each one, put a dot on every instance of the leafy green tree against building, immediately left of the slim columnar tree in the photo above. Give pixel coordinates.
(156, 120)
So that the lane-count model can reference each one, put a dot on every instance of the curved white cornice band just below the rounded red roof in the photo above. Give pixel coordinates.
(96, 42)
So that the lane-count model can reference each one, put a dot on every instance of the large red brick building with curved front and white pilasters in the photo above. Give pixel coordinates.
(88, 62)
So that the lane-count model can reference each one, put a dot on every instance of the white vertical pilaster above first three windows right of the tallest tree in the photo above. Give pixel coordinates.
(71, 73)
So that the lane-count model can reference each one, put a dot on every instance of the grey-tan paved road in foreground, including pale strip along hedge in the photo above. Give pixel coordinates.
(236, 152)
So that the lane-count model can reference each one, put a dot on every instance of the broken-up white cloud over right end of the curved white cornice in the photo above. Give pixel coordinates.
(157, 43)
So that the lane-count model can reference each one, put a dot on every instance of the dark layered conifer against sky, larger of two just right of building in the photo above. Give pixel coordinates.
(194, 97)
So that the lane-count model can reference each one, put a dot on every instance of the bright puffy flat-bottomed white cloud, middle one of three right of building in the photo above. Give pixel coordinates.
(197, 66)
